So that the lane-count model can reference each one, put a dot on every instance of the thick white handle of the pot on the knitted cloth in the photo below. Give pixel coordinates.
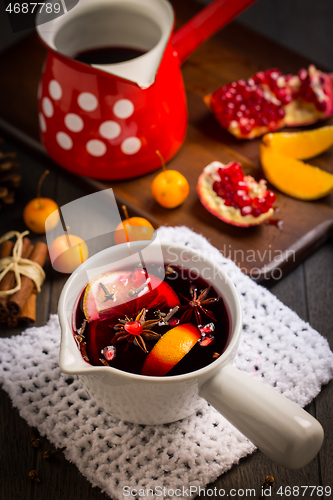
(283, 431)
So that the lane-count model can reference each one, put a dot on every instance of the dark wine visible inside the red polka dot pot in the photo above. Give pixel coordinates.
(108, 55)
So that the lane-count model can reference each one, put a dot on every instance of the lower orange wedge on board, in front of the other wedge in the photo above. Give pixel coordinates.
(293, 177)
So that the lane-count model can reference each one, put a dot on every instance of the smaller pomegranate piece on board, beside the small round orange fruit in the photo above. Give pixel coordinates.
(233, 197)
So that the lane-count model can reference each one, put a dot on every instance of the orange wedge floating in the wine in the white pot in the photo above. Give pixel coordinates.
(170, 349)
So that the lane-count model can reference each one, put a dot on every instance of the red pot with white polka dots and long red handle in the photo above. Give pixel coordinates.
(107, 119)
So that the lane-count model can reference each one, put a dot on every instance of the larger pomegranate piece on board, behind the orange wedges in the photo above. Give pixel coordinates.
(270, 100)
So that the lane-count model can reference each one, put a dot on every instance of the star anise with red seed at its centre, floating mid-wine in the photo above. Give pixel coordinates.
(136, 330)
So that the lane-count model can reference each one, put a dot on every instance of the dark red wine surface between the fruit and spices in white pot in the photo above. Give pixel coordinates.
(129, 357)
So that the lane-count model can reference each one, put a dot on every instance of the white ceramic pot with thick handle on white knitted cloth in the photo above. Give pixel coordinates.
(283, 431)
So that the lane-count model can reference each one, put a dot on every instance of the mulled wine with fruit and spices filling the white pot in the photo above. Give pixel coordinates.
(182, 324)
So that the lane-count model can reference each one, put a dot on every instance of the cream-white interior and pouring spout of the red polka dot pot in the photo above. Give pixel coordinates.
(143, 24)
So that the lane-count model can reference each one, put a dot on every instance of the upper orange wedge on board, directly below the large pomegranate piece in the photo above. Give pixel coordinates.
(301, 145)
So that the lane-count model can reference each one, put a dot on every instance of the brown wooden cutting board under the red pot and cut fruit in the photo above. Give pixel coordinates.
(264, 252)
